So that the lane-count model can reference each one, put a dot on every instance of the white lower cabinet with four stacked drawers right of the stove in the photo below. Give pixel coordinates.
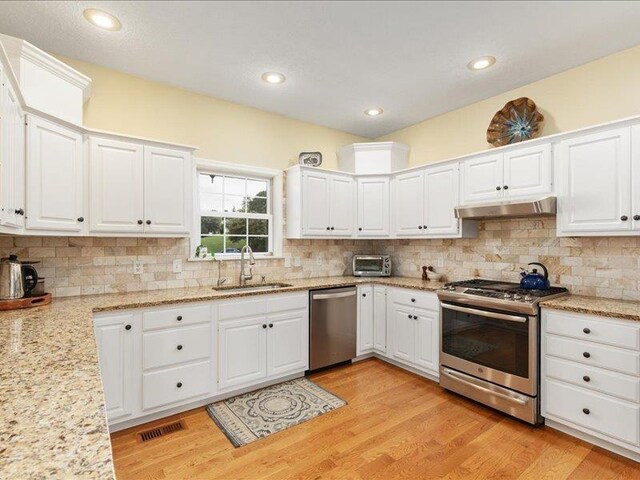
(591, 378)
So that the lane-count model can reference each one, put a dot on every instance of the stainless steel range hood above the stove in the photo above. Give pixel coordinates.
(533, 208)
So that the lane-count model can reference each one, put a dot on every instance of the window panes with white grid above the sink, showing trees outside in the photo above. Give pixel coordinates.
(235, 211)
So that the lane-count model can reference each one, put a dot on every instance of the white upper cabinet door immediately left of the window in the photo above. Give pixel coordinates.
(168, 178)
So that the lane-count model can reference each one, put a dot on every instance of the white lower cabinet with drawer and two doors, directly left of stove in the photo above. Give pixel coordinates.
(412, 331)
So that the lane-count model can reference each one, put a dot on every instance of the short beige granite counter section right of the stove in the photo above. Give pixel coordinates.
(626, 309)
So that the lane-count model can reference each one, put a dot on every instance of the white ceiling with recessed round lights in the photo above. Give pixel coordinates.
(339, 57)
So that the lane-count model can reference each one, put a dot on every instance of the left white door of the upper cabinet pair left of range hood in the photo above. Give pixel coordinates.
(408, 204)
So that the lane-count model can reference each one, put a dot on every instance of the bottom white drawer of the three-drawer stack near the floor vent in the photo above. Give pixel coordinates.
(175, 384)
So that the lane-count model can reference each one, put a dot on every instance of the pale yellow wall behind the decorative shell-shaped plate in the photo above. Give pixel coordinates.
(597, 92)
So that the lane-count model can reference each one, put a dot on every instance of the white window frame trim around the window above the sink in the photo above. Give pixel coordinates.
(275, 195)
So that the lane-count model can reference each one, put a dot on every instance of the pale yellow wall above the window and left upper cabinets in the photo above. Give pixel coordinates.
(224, 131)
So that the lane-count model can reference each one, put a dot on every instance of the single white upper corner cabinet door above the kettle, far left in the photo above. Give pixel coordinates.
(54, 177)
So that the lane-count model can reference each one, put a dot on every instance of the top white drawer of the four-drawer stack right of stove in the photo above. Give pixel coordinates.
(594, 329)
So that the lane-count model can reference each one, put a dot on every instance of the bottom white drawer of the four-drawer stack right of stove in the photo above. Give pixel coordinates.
(607, 416)
